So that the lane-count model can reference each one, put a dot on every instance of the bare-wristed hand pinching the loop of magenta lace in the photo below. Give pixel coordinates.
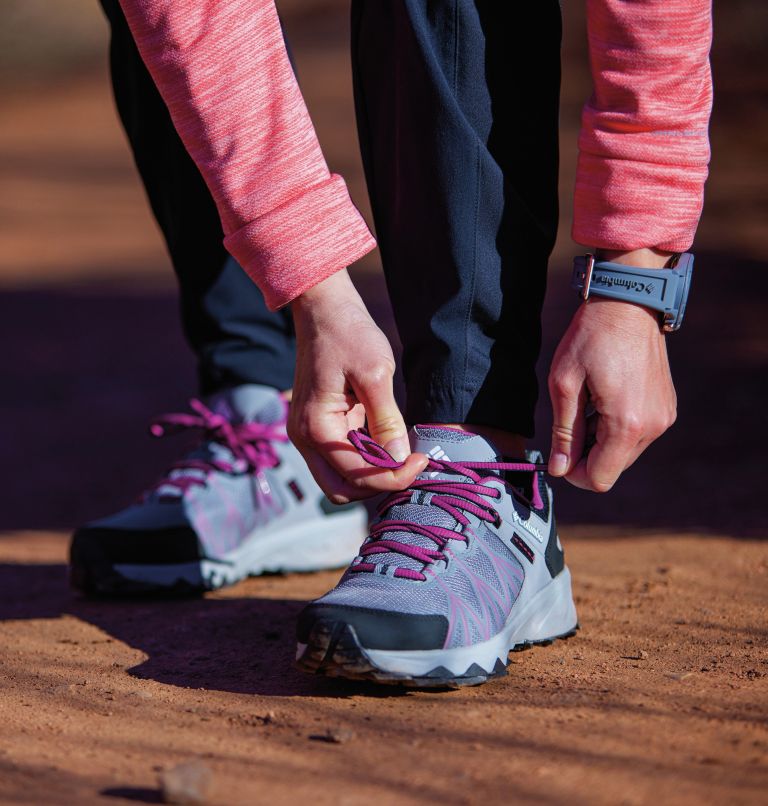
(344, 371)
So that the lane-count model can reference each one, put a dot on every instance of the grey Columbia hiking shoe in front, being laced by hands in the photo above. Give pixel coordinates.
(459, 569)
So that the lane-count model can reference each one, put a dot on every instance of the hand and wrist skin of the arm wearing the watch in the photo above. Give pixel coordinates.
(612, 360)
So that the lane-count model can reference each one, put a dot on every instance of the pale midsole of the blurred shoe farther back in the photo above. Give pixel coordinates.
(324, 542)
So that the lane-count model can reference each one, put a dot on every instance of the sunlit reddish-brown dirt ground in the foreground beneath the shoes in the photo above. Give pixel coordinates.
(661, 697)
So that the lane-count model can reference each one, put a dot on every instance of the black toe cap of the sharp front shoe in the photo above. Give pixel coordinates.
(377, 629)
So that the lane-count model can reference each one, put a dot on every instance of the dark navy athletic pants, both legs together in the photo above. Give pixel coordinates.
(457, 104)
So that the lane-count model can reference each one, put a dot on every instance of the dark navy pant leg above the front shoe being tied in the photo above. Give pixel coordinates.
(457, 106)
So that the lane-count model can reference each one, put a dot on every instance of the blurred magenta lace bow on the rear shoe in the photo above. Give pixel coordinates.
(249, 443)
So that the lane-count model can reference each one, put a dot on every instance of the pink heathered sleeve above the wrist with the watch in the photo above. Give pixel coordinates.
(644, 145)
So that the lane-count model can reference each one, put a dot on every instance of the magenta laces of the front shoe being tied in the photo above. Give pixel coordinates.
(454, 497)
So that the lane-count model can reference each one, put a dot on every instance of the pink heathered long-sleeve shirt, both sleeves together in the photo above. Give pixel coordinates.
(224, 74)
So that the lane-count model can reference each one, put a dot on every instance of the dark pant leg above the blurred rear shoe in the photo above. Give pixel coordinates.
(235, 337)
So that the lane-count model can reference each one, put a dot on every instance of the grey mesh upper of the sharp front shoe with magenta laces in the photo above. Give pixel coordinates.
(447, 561)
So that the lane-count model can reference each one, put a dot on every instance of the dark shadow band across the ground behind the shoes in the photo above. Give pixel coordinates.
(84, 371)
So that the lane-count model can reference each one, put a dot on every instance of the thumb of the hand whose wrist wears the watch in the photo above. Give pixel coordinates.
(568, 427)
